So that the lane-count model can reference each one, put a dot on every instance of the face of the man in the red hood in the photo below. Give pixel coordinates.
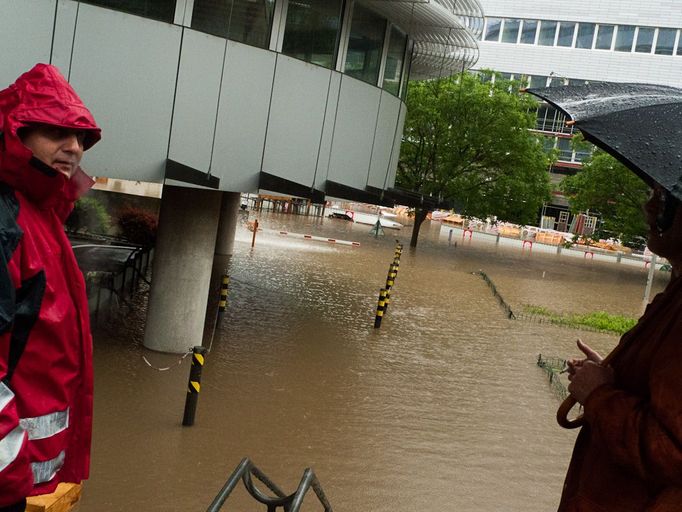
(60, 148)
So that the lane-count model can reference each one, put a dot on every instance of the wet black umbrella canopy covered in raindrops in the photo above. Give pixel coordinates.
(639, 124)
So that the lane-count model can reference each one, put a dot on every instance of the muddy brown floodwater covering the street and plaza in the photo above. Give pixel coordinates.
(443, 408)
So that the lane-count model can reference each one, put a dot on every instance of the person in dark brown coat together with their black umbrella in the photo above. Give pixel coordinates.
(628, 454)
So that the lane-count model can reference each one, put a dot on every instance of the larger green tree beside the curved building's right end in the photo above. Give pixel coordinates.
(468, 140)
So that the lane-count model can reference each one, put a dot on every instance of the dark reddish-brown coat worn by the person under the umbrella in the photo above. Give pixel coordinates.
(628, 455)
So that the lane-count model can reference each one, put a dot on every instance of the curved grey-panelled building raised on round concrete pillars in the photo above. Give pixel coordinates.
(217, 97)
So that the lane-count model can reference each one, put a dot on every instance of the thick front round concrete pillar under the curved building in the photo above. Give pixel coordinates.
(183, 259)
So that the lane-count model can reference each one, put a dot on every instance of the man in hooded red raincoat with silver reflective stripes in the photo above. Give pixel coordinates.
(45, 341)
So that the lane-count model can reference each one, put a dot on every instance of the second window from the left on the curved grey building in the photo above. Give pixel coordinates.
(240, 20)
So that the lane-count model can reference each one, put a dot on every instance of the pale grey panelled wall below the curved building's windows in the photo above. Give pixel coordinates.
(160, 90)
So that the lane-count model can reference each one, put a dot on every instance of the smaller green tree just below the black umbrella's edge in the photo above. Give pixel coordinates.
(606, 187)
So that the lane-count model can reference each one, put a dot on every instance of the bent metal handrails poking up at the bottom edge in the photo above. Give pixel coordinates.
(246, 470)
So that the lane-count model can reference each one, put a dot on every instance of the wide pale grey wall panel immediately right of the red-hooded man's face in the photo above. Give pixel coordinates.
(124, 67)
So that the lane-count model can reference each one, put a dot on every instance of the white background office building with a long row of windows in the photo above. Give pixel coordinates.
(548, 43)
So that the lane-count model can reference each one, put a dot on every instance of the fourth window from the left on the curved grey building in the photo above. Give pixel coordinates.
(365, 43)
